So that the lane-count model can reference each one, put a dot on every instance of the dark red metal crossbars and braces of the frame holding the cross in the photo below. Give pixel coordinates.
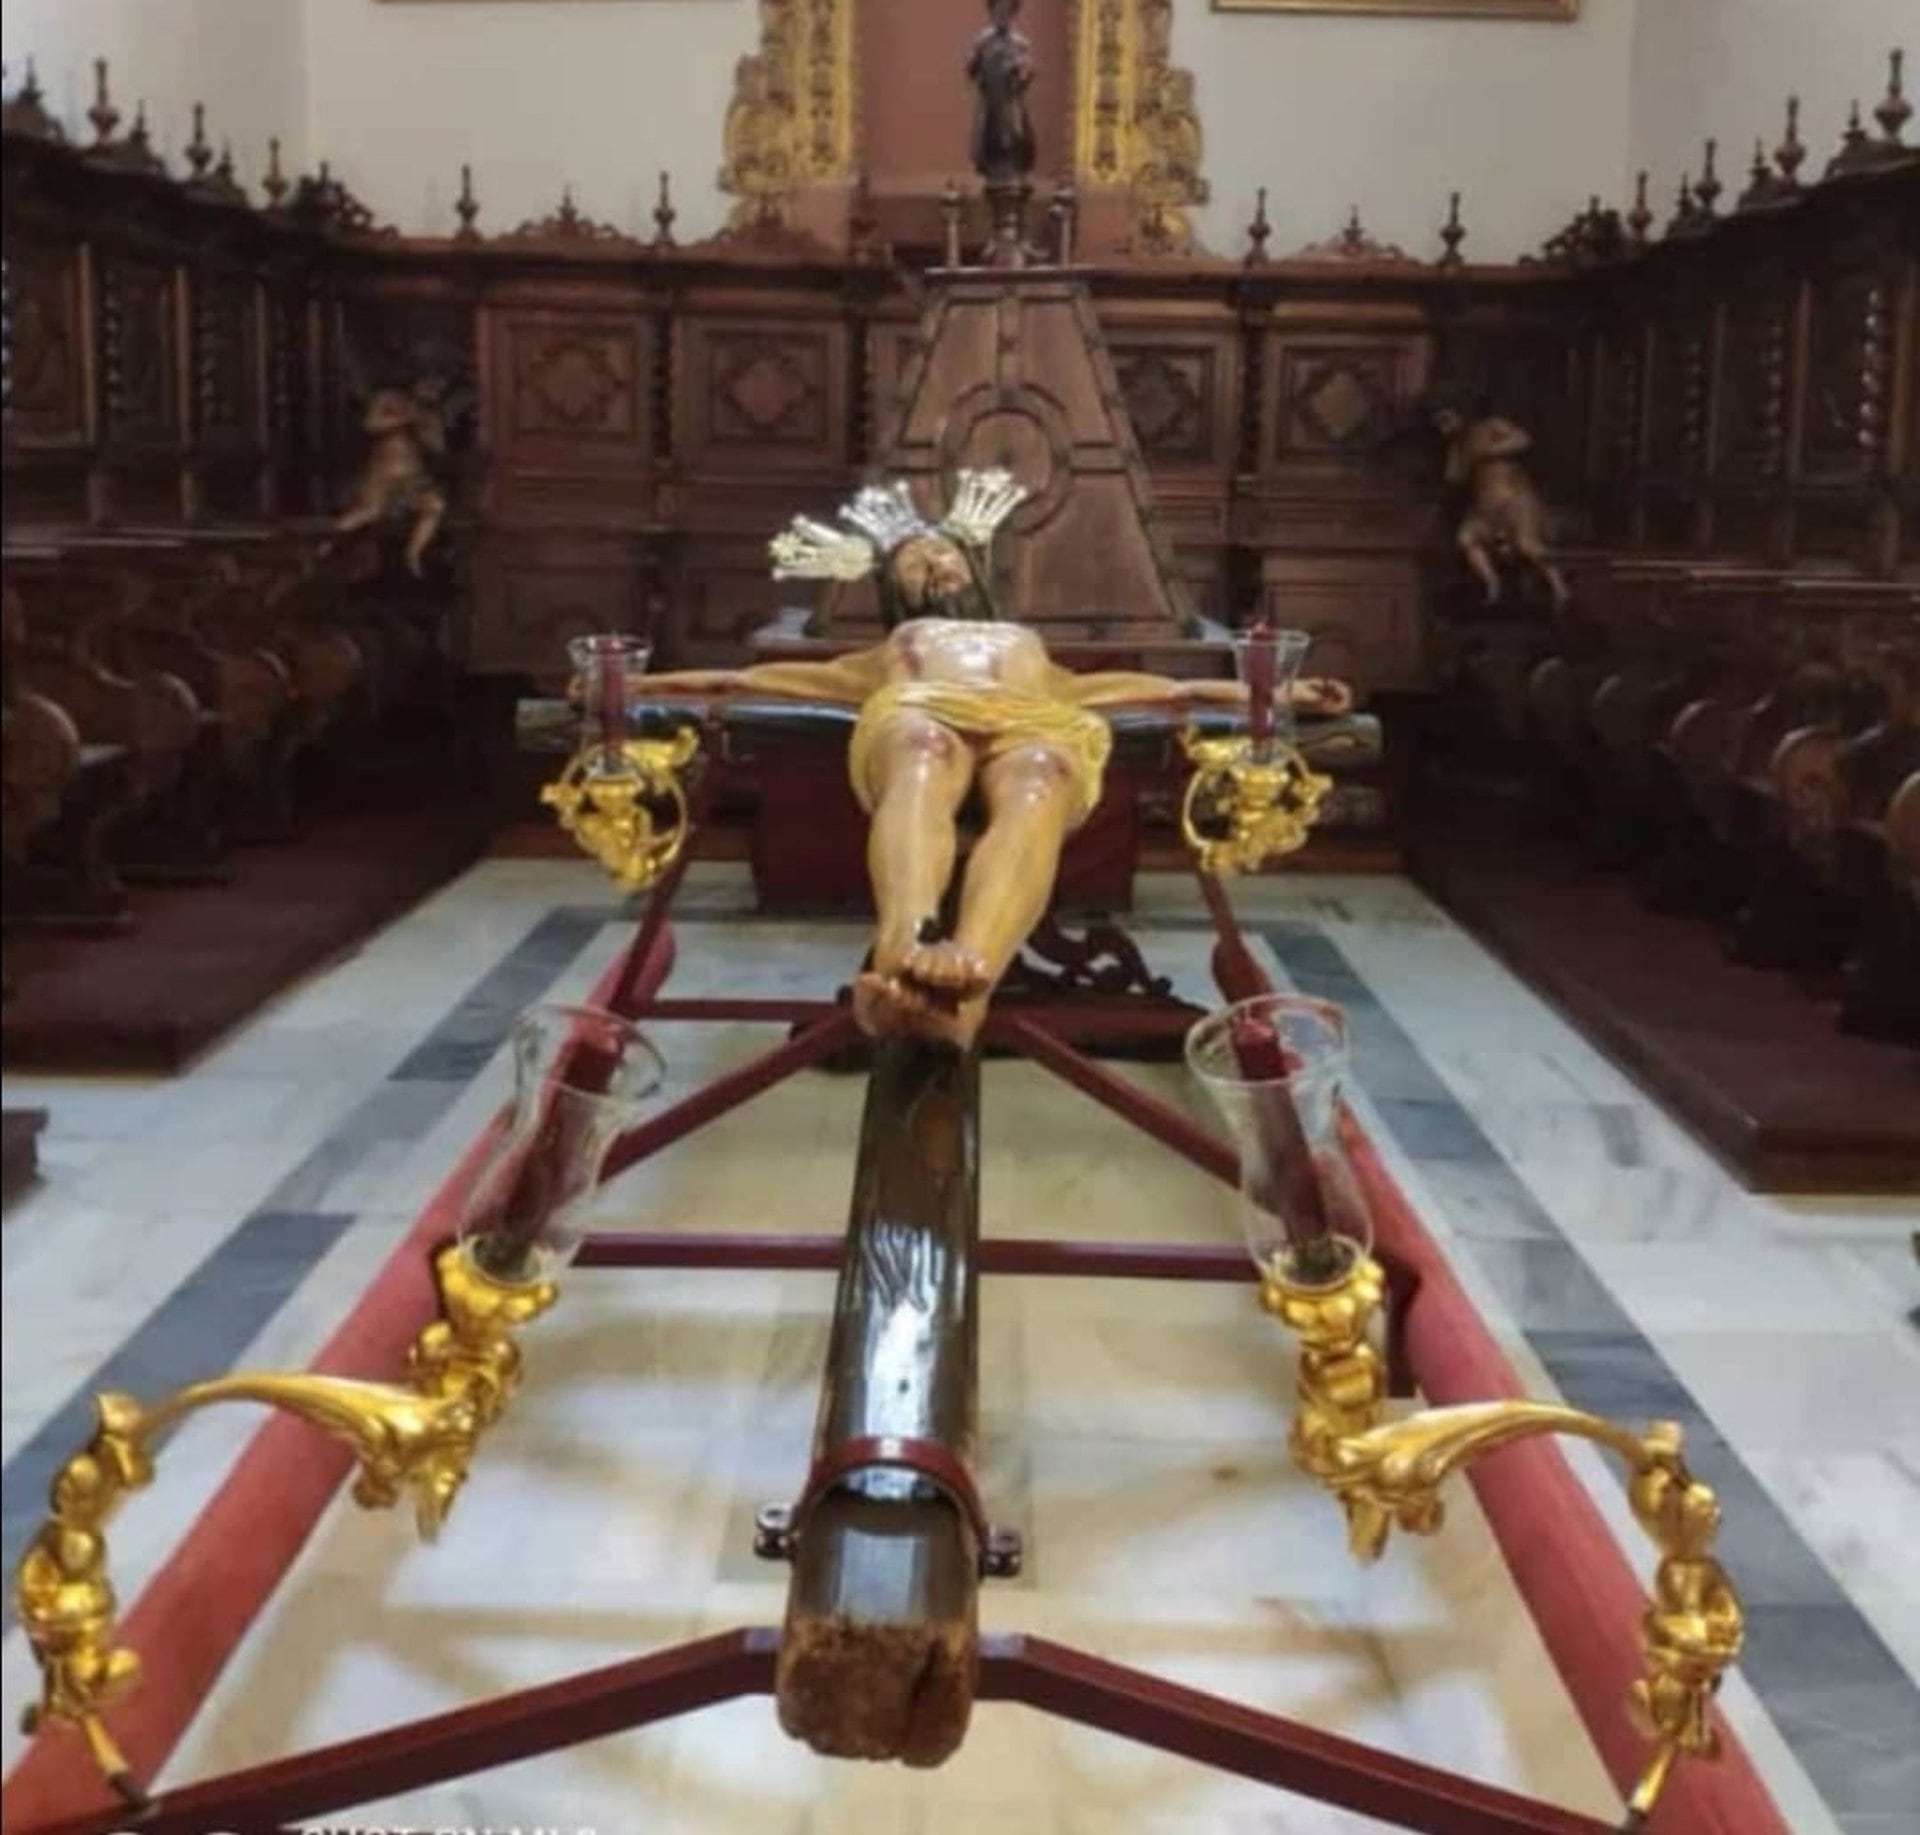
(1053, 1679)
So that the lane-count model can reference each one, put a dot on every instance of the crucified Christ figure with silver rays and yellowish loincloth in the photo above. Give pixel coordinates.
(955, 702)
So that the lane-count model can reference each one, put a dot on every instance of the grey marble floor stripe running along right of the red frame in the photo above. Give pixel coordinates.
(1840, 1698)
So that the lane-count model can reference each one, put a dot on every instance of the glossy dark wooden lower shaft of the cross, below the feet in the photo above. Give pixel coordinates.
(880, 1656)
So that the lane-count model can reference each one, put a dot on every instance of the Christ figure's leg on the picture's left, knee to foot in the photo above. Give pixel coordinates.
(921, 775)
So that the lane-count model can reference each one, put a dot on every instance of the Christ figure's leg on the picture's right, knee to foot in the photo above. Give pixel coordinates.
(1032, 801)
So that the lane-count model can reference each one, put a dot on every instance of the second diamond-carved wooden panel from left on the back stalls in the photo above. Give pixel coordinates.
(763, 394)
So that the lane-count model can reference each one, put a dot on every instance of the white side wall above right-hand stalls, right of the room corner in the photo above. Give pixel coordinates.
(1725, 68)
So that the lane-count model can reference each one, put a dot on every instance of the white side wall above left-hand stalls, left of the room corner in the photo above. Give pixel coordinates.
(239, 57)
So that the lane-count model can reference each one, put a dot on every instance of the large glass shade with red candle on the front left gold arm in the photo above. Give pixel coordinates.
(581, 1082)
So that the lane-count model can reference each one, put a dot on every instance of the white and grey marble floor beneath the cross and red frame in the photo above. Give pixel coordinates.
(231, 1216)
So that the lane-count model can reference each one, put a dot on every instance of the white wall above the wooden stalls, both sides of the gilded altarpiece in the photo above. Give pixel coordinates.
(1525, 120)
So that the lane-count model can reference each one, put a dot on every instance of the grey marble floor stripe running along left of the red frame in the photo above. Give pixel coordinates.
(208, 1322)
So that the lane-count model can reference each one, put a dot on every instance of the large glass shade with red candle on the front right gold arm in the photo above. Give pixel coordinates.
(1276, 1068)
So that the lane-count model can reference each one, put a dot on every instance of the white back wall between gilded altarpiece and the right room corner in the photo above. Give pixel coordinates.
(1525, 118)
